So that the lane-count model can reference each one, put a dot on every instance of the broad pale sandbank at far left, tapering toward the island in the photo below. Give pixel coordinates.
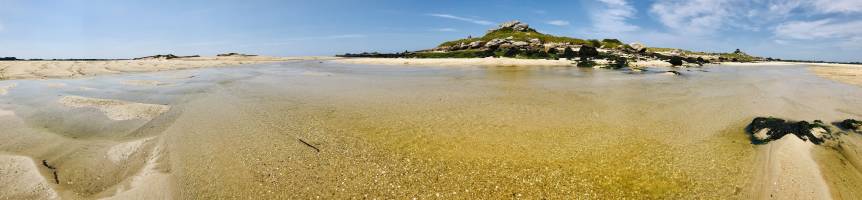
(70, 69)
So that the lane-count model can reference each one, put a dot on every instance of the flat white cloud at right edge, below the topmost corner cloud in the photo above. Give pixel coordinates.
(819, 29)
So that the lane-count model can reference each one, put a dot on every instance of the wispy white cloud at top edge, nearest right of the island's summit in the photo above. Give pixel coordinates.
(612, 18)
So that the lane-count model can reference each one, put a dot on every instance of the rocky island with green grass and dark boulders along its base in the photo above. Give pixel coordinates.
(515, 39)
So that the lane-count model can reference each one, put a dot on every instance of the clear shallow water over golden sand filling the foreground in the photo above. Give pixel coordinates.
(427, 132)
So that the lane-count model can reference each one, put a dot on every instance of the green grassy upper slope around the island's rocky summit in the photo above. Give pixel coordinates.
(517, 35)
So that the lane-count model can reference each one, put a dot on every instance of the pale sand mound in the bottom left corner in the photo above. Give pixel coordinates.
(20, 179)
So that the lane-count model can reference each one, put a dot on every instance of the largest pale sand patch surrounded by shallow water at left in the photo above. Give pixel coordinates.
(116, 109)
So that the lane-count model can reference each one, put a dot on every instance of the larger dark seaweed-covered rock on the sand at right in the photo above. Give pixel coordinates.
(762, 130)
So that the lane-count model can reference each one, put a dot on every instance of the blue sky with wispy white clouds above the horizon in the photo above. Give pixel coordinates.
(793, 29)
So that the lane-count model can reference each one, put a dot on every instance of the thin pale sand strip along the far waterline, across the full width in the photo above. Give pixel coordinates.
(75, 68)
